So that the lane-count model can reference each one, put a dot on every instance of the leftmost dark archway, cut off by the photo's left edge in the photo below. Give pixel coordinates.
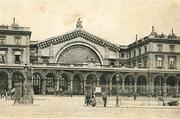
(3, 80)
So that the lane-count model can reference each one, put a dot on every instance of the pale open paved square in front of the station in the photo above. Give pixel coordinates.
(51, 107)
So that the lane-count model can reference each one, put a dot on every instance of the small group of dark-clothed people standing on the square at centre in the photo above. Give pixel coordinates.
(91, 100)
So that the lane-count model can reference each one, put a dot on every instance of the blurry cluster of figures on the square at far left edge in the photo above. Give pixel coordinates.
(7, 94)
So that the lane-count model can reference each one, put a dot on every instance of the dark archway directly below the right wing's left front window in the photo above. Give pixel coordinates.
(158, 85)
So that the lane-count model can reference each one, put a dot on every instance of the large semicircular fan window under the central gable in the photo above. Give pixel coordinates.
(78, 54)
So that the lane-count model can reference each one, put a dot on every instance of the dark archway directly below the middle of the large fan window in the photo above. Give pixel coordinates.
(78, 84)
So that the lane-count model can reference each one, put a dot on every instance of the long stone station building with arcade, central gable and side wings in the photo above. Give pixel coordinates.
(78, 61)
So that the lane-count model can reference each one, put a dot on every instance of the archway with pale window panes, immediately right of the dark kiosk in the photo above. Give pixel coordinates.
(37, 83)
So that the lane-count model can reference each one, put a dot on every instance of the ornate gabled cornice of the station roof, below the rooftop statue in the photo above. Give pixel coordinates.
(78, 33)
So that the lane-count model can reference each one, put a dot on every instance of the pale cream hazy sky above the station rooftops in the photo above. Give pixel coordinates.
(117, 21)
